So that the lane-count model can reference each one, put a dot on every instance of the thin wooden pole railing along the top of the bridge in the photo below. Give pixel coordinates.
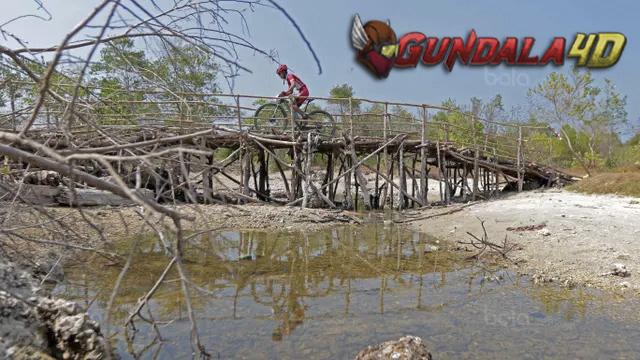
(357, 116)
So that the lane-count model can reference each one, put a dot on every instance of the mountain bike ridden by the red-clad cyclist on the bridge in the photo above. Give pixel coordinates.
(274, 117)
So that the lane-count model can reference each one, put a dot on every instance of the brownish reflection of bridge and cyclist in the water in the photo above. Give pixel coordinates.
(296, 278)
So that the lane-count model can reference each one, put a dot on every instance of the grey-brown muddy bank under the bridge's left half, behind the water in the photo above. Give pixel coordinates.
(100, 227)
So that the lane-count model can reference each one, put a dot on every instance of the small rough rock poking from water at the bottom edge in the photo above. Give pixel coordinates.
(406, 348)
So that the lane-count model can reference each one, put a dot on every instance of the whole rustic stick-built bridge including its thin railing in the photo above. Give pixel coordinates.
(210, 148)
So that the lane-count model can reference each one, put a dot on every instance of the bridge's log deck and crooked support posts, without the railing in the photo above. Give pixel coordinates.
(400, 165)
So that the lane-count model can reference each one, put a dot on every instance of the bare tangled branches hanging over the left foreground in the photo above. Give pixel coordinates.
(60, 101)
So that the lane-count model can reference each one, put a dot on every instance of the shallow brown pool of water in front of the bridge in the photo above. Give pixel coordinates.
(327, 295)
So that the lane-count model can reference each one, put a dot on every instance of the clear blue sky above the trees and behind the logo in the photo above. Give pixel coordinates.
(327, 26)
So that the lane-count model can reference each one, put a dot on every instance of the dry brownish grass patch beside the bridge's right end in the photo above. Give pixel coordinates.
(623, 182)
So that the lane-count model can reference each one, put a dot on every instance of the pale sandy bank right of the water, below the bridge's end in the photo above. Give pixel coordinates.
(563, 236)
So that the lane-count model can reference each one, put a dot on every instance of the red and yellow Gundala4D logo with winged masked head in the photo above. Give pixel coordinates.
(379, 50)
